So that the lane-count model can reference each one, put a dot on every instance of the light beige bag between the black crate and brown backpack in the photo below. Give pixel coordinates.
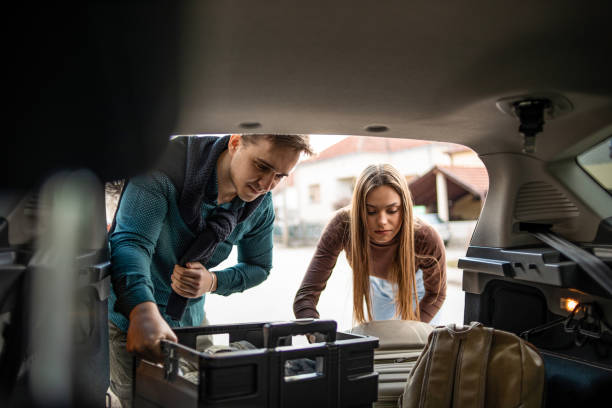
(400, 345)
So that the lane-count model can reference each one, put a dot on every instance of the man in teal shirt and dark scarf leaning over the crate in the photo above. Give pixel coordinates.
(179, 221)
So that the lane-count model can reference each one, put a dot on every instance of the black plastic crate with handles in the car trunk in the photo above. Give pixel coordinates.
(344, 374)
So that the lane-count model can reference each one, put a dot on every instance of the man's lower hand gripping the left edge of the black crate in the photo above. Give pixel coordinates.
(147, 328)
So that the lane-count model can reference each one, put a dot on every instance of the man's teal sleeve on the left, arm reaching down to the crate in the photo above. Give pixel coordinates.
(140, 215)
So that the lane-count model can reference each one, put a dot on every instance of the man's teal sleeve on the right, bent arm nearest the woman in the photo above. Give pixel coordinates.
(254, 255)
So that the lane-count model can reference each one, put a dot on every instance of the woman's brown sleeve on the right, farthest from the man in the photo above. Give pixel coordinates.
(431, 259)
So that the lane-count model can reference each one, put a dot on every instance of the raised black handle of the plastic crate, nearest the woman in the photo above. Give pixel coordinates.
(274, 331)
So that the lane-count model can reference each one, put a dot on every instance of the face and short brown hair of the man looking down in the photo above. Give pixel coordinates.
(258, 166)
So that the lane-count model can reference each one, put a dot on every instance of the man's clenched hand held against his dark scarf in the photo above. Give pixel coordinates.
(193, 281)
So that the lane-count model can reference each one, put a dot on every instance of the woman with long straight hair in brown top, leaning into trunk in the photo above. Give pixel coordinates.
(394, 256)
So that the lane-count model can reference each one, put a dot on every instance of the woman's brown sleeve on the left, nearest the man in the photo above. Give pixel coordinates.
(323, 261)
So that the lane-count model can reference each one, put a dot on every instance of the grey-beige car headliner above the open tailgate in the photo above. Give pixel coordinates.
(425, 70)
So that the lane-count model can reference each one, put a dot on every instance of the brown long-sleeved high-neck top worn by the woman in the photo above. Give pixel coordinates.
(336, 238)
